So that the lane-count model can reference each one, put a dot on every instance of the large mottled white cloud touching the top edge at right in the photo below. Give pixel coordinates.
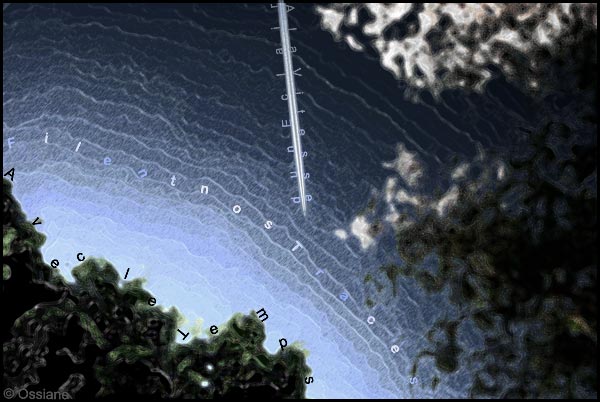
(450, 45)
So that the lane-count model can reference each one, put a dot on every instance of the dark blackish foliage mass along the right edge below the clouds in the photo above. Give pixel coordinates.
(520, 259)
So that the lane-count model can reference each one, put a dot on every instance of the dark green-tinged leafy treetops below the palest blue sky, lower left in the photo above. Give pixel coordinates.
(96, 338)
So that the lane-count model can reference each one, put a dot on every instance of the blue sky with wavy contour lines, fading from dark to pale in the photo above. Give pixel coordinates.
(190, 91)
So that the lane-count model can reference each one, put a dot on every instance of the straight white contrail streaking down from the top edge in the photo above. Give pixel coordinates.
(291, 95)
